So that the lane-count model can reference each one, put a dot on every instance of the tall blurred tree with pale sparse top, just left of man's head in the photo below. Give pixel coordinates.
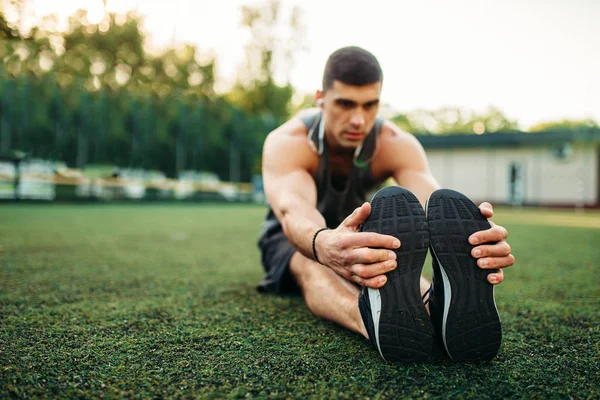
(265, 102)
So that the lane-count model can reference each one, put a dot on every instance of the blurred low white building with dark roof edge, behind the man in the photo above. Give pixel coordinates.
(543, 169)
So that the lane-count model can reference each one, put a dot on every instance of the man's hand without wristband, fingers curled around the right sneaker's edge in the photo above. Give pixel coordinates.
(493, 252)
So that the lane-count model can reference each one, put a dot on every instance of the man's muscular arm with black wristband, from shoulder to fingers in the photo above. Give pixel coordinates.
(360, 257)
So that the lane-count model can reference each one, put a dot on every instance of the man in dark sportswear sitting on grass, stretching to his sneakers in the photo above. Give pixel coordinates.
(358, 263)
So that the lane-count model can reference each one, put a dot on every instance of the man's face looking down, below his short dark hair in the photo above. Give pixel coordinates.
(349, 112)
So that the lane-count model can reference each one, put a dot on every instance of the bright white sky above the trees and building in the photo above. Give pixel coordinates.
(536, 60)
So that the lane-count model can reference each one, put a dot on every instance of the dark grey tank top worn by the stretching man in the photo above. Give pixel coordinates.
(335, 204)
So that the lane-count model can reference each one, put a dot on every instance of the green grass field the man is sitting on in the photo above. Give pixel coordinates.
(159, 301)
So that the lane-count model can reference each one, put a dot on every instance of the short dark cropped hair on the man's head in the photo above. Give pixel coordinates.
(353, 66)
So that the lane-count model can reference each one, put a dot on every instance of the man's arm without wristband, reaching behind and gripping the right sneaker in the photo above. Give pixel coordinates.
(411, 170)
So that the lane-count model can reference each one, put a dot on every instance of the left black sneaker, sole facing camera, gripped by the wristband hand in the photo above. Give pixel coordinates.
(395, 316)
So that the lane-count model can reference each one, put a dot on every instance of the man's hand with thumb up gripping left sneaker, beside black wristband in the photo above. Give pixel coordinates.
(360, 257)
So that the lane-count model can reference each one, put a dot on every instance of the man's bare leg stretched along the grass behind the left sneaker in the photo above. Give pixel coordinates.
(328, 295)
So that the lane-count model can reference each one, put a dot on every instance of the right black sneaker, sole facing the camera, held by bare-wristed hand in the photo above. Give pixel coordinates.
(462, 306)
